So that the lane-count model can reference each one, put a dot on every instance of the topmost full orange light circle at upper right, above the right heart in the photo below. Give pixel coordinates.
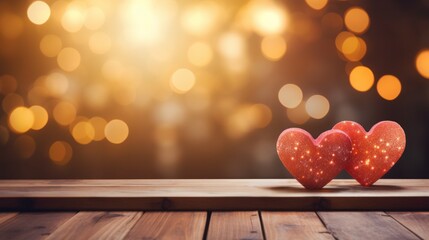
(356, 20)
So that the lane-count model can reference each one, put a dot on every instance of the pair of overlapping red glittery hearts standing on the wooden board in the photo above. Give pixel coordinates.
(366, 156)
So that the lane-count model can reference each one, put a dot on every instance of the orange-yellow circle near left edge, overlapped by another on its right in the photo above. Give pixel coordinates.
(21, 119)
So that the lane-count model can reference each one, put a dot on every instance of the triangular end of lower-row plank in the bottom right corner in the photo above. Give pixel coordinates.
(417, 222)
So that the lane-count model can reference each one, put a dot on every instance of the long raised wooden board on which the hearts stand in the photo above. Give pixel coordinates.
(214, 194)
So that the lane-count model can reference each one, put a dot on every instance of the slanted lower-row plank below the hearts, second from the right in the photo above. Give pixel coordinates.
(364, 225)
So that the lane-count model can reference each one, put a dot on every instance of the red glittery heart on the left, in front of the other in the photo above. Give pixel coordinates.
(314, 163)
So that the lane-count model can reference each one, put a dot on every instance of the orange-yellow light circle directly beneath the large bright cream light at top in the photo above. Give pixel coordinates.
(273, 47)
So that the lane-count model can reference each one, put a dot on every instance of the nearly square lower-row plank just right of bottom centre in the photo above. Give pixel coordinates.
(235, 225)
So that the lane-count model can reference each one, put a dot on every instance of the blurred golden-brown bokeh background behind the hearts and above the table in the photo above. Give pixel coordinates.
(202, 89)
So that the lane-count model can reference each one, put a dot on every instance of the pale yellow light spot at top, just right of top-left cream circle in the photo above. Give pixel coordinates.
(73, 17)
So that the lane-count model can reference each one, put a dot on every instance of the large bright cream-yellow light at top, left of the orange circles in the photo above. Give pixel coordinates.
(268, 18)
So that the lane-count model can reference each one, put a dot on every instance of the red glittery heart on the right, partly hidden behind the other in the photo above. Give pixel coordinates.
(375, 152)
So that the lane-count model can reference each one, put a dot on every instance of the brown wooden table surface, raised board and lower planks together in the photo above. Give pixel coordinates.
(212, 209)
